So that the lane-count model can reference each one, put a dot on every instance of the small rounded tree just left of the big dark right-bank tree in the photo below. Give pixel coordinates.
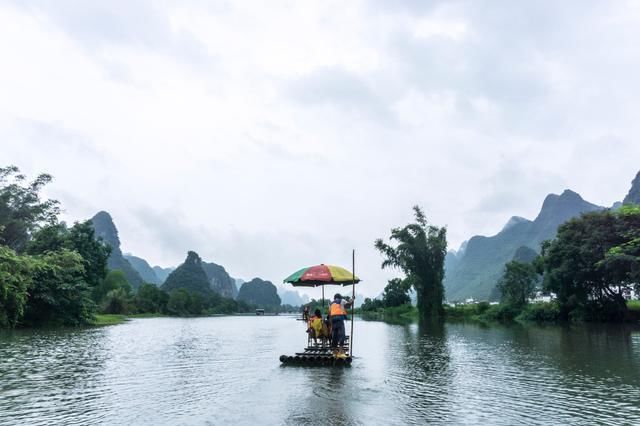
(517, 283)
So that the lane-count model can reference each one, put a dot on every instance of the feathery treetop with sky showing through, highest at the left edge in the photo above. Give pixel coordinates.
(21, 209)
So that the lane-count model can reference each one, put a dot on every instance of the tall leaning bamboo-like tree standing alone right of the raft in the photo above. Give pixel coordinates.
(420, 252)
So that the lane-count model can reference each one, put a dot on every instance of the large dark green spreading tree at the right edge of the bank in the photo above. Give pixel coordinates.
(592, 262)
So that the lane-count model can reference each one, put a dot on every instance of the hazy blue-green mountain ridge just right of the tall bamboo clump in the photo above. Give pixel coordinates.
(476, 271)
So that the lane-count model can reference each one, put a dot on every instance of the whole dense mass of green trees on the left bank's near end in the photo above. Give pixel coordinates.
(48, 270)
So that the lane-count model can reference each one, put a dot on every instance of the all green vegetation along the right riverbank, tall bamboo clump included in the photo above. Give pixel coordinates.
(590, 271)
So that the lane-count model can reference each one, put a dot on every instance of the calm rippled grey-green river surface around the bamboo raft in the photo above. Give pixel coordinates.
(225, 370)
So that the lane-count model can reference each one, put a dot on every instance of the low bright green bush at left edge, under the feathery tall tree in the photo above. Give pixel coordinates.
(15, 278)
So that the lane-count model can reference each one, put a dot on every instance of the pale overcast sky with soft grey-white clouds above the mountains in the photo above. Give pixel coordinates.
(268, 136)
